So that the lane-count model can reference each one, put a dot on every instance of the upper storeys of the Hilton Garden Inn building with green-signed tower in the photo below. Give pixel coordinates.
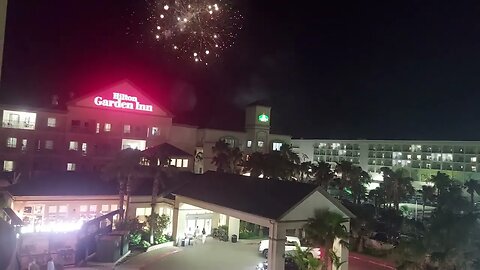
(90, 130)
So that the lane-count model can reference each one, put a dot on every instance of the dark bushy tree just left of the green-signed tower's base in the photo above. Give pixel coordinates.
(226, 158)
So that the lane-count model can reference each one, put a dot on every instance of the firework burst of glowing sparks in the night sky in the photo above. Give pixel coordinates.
(198, 30)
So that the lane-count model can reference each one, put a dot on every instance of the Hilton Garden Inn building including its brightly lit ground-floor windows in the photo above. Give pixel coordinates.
(75, 141)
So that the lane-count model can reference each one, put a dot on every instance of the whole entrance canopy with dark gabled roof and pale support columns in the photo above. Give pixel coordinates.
(278, 205)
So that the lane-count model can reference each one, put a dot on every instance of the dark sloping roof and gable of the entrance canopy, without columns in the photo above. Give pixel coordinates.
(267, 198)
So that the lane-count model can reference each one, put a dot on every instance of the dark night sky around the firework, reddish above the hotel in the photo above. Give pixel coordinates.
(337, 69)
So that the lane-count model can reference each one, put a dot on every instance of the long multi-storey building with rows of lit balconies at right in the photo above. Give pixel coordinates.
(422, 159)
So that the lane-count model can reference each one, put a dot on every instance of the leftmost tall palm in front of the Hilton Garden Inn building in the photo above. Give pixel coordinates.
(125, 169)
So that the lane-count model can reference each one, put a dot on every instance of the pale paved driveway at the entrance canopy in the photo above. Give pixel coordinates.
(216, 255)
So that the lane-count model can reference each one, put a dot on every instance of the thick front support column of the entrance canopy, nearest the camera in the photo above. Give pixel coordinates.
(276, 247)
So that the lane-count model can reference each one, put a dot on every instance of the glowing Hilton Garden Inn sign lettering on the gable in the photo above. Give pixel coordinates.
(123, 101)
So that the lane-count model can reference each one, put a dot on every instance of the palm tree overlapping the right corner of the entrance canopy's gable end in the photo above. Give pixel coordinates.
(324, 228)
